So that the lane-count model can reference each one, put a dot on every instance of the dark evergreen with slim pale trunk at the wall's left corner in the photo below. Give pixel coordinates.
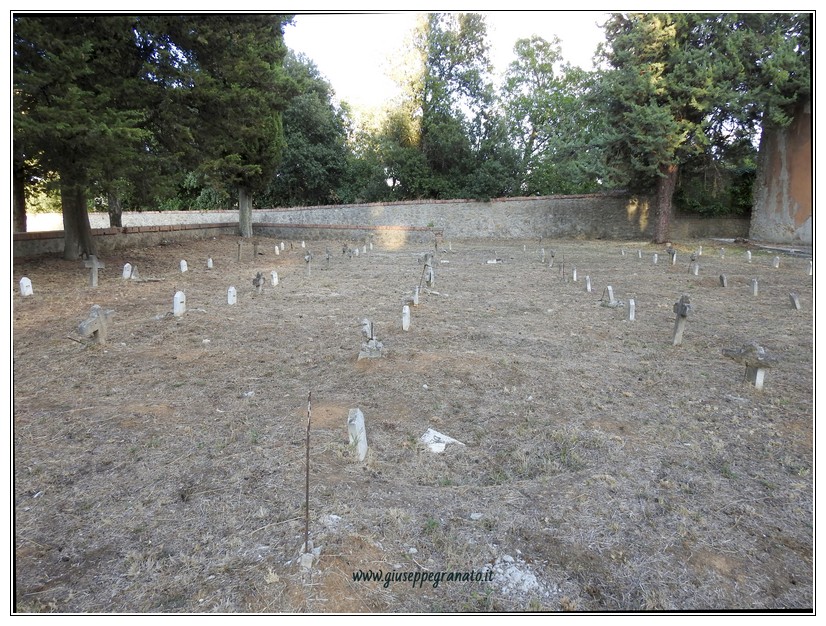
(238, 90)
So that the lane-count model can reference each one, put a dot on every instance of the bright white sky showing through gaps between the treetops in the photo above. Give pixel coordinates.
(353, 51)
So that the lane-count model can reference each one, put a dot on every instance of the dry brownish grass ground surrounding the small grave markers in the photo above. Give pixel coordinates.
(603, 468)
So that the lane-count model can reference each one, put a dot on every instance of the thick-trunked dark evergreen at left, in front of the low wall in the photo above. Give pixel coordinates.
(74, 82)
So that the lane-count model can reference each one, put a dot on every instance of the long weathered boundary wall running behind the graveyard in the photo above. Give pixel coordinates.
(592, 216)
